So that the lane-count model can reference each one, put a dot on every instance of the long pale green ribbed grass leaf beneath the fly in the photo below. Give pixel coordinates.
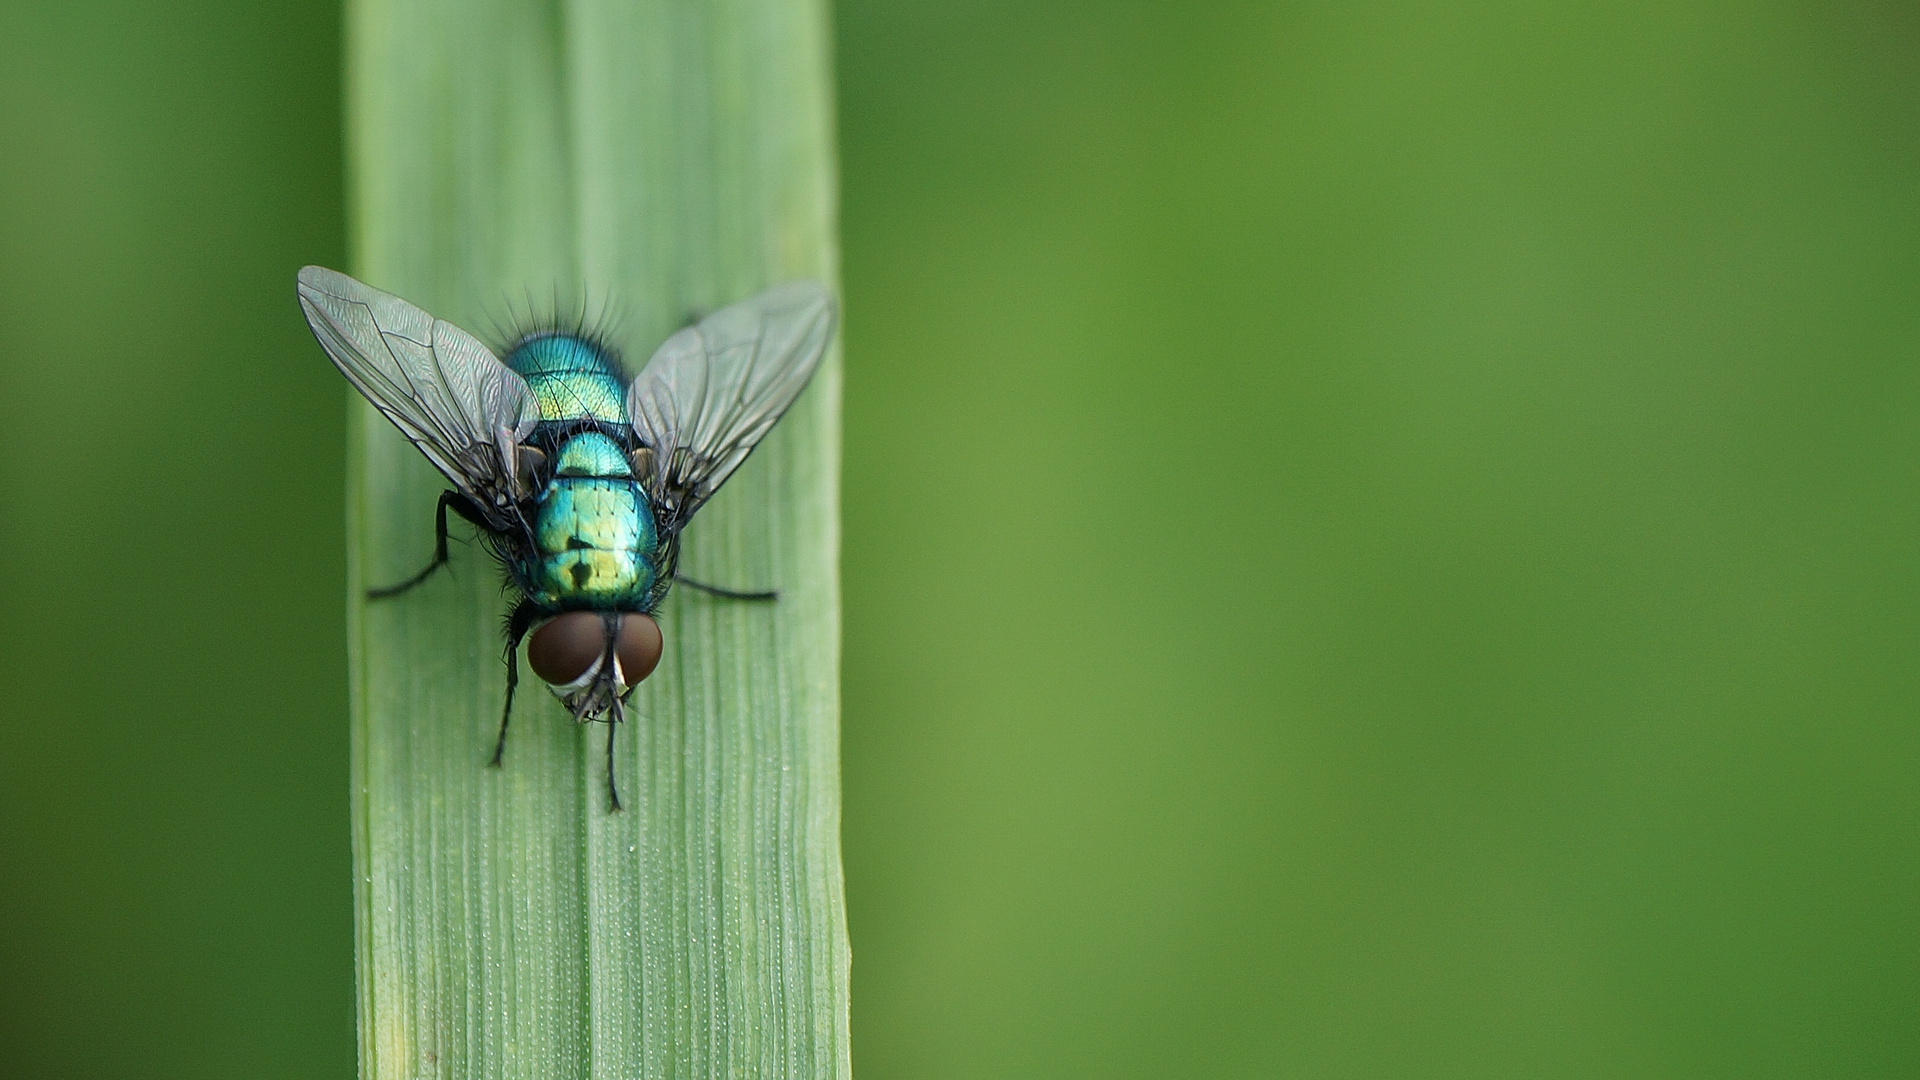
(656, 160)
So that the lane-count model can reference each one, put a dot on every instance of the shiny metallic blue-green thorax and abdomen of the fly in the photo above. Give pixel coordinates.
(594, 528)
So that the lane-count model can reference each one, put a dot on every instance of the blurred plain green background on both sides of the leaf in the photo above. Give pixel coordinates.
(1381, 541)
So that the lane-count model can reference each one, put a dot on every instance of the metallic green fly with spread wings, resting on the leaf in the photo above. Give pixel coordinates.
(579, 478)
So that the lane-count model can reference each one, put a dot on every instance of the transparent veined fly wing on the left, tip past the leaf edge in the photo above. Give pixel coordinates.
(443, 389)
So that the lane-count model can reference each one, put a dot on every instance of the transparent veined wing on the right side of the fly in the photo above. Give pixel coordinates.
(715, 389)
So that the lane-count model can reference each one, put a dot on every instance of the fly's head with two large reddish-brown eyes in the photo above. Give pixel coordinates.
(594, 658)
